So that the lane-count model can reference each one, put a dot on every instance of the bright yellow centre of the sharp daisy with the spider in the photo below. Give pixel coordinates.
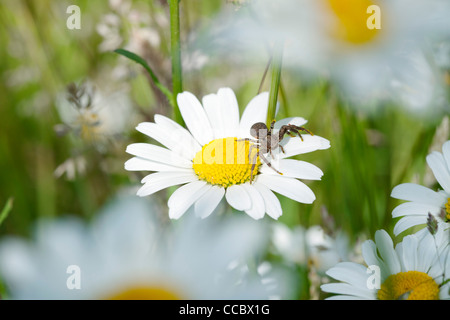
(227, 162)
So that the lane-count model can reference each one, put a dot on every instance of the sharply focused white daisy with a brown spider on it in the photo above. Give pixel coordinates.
(213, 160)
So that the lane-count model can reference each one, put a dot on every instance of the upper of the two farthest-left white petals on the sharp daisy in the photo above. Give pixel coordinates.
(158, 154)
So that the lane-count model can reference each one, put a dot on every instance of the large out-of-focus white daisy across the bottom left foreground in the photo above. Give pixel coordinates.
(127, 254)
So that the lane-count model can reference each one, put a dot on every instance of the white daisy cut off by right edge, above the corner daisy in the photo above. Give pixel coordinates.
(423, 200)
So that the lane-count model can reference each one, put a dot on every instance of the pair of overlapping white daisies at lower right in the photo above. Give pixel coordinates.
(419, 266)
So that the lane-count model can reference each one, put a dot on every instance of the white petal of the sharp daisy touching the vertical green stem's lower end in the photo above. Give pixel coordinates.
(195, 117)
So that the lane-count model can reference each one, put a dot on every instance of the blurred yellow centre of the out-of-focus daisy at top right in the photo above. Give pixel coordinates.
(350, 21)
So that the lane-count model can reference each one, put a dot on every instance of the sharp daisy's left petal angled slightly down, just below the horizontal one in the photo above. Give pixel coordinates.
(157, 181)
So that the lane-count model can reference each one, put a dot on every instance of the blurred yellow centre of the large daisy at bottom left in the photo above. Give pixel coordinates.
(145, 293)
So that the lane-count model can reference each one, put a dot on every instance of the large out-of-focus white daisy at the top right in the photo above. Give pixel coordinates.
(358, 44)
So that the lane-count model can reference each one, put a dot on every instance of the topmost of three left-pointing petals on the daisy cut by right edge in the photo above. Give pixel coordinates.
(418, 193)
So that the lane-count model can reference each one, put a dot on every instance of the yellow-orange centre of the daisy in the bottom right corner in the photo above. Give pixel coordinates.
(410, 285)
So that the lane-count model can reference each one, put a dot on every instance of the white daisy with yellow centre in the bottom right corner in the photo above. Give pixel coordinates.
(417, 269)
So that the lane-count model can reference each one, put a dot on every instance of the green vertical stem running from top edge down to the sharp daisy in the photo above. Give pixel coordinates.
(175, 53)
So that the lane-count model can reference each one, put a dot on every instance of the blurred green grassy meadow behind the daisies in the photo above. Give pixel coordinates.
(371, 151)
